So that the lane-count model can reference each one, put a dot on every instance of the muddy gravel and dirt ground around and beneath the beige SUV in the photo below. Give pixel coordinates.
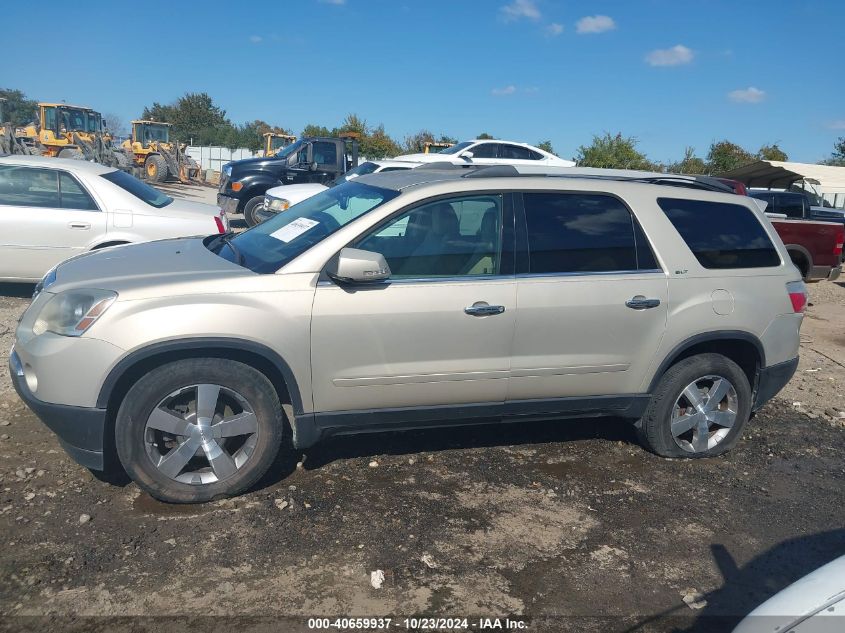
(570, 523)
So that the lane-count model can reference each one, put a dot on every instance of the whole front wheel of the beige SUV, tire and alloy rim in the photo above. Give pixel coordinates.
(199, 429)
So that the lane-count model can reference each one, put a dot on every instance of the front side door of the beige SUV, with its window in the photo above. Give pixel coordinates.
(438, 332)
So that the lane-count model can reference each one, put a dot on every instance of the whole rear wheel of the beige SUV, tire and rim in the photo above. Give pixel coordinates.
(699, 408)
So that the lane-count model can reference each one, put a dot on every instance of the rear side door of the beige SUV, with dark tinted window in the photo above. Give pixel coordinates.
(592, 299)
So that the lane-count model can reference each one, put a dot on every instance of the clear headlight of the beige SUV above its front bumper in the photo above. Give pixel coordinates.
(72, 312)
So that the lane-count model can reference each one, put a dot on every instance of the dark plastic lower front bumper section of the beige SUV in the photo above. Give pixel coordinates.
(80, 429)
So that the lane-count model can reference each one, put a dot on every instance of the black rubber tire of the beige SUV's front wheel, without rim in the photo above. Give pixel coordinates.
(133, 437)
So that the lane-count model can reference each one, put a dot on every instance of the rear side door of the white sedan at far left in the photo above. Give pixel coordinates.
(46, 216)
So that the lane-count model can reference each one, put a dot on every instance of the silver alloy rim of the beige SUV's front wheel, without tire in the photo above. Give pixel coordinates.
(201, 434)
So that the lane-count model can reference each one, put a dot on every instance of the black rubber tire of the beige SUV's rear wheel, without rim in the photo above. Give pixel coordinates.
(655, 427)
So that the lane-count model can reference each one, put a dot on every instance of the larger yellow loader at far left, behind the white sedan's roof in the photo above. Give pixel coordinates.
(67, 131)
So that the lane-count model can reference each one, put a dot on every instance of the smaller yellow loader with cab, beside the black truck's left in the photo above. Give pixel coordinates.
(152, 150)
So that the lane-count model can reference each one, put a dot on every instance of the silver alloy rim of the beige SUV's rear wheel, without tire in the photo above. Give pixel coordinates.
(704, 413)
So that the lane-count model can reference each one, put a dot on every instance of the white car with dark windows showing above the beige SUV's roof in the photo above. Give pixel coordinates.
(491, 152)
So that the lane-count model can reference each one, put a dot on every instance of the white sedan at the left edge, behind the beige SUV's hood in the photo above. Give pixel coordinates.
(52, 209)
